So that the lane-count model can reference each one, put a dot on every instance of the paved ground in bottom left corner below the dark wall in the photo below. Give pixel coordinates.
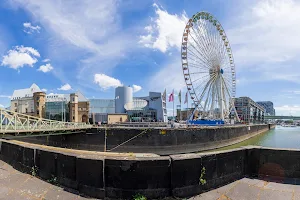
(15, 185)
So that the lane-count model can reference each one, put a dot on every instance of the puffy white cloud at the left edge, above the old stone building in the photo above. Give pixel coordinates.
(20, 56)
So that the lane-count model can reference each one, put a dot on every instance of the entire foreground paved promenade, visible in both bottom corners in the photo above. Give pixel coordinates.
(15, 185)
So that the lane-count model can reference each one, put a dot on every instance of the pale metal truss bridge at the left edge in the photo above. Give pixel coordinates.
(16, 122)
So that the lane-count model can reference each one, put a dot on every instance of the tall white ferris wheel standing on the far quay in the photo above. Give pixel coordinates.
(208, 66)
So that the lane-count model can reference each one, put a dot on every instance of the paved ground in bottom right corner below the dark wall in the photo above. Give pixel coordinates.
(252, 189)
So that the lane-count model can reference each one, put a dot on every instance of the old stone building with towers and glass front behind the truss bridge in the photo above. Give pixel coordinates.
(32, 101)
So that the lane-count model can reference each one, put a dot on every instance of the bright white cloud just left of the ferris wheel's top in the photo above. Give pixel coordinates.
(165, 30)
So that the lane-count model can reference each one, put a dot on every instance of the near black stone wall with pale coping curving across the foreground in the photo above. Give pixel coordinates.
(155, 177)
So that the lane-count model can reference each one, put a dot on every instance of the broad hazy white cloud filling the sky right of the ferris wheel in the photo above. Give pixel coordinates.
(265, 39)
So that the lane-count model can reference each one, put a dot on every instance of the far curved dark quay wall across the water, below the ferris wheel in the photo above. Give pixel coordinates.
(162, 141)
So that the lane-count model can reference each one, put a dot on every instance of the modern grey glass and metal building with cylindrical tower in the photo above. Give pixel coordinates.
(149, 108)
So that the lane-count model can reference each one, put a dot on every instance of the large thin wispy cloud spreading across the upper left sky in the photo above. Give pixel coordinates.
(77, 26)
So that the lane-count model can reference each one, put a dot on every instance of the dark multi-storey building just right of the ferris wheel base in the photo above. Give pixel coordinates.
(248, 111)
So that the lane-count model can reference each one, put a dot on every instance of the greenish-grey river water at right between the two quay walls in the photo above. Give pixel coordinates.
(280, 137)
